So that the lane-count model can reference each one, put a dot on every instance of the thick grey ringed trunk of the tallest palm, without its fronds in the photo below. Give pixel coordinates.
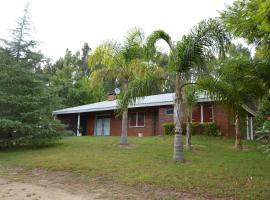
(178, 154)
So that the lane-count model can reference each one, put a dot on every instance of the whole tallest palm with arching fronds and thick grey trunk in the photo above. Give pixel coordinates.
(187, 57)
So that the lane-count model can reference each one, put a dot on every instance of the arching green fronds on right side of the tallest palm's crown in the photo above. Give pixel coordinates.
(204, 41)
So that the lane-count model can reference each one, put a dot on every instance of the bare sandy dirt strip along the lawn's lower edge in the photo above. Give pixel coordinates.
(40, 184)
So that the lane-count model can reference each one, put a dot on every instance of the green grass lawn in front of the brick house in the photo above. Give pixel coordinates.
(214, 167)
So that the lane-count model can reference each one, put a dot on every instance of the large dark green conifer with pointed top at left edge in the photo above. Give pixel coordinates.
(26, 102)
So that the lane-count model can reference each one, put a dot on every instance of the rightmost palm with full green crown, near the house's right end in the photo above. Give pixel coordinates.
(232, 82)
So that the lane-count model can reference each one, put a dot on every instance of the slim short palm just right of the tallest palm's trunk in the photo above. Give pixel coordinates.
(190, 100)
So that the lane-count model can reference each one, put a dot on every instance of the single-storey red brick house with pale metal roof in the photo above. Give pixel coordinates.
(146, 116)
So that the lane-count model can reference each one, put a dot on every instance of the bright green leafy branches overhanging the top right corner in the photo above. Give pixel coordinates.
(249, 19)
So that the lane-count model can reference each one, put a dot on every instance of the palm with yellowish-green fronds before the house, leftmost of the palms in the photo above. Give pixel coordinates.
(125, 64)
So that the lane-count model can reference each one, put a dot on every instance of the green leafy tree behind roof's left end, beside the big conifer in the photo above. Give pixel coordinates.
(71, 84)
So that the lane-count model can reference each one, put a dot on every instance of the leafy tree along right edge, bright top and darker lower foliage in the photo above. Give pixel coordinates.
(249, 19)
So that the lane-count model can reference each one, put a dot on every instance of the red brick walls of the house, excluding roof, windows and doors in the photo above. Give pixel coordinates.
(155, 117)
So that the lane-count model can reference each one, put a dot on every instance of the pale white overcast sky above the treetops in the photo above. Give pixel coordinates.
(61, 24)
